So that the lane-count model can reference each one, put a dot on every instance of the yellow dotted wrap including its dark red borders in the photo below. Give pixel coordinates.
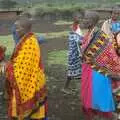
(29, 79)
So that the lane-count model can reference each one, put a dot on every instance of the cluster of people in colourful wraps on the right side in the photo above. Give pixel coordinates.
(95, 58)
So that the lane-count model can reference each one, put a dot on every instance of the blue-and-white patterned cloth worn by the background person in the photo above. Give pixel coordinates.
(74, 55)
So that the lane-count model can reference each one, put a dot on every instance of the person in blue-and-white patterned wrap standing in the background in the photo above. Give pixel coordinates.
(74, 53)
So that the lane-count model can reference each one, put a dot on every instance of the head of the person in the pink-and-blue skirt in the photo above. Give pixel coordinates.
(90, 19)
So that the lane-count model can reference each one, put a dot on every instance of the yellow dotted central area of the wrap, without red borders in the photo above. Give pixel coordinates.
(29, 77)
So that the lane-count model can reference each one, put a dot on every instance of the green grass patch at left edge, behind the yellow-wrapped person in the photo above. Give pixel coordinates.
(8, 42)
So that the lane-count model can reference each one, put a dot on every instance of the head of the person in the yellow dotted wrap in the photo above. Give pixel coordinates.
(23, 26)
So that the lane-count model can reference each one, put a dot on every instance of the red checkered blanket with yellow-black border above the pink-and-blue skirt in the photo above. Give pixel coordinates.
(101, 55)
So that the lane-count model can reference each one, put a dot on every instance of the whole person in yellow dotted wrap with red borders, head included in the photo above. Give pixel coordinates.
(25, 77)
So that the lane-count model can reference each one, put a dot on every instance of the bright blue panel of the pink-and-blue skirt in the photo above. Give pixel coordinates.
(102, 98)
